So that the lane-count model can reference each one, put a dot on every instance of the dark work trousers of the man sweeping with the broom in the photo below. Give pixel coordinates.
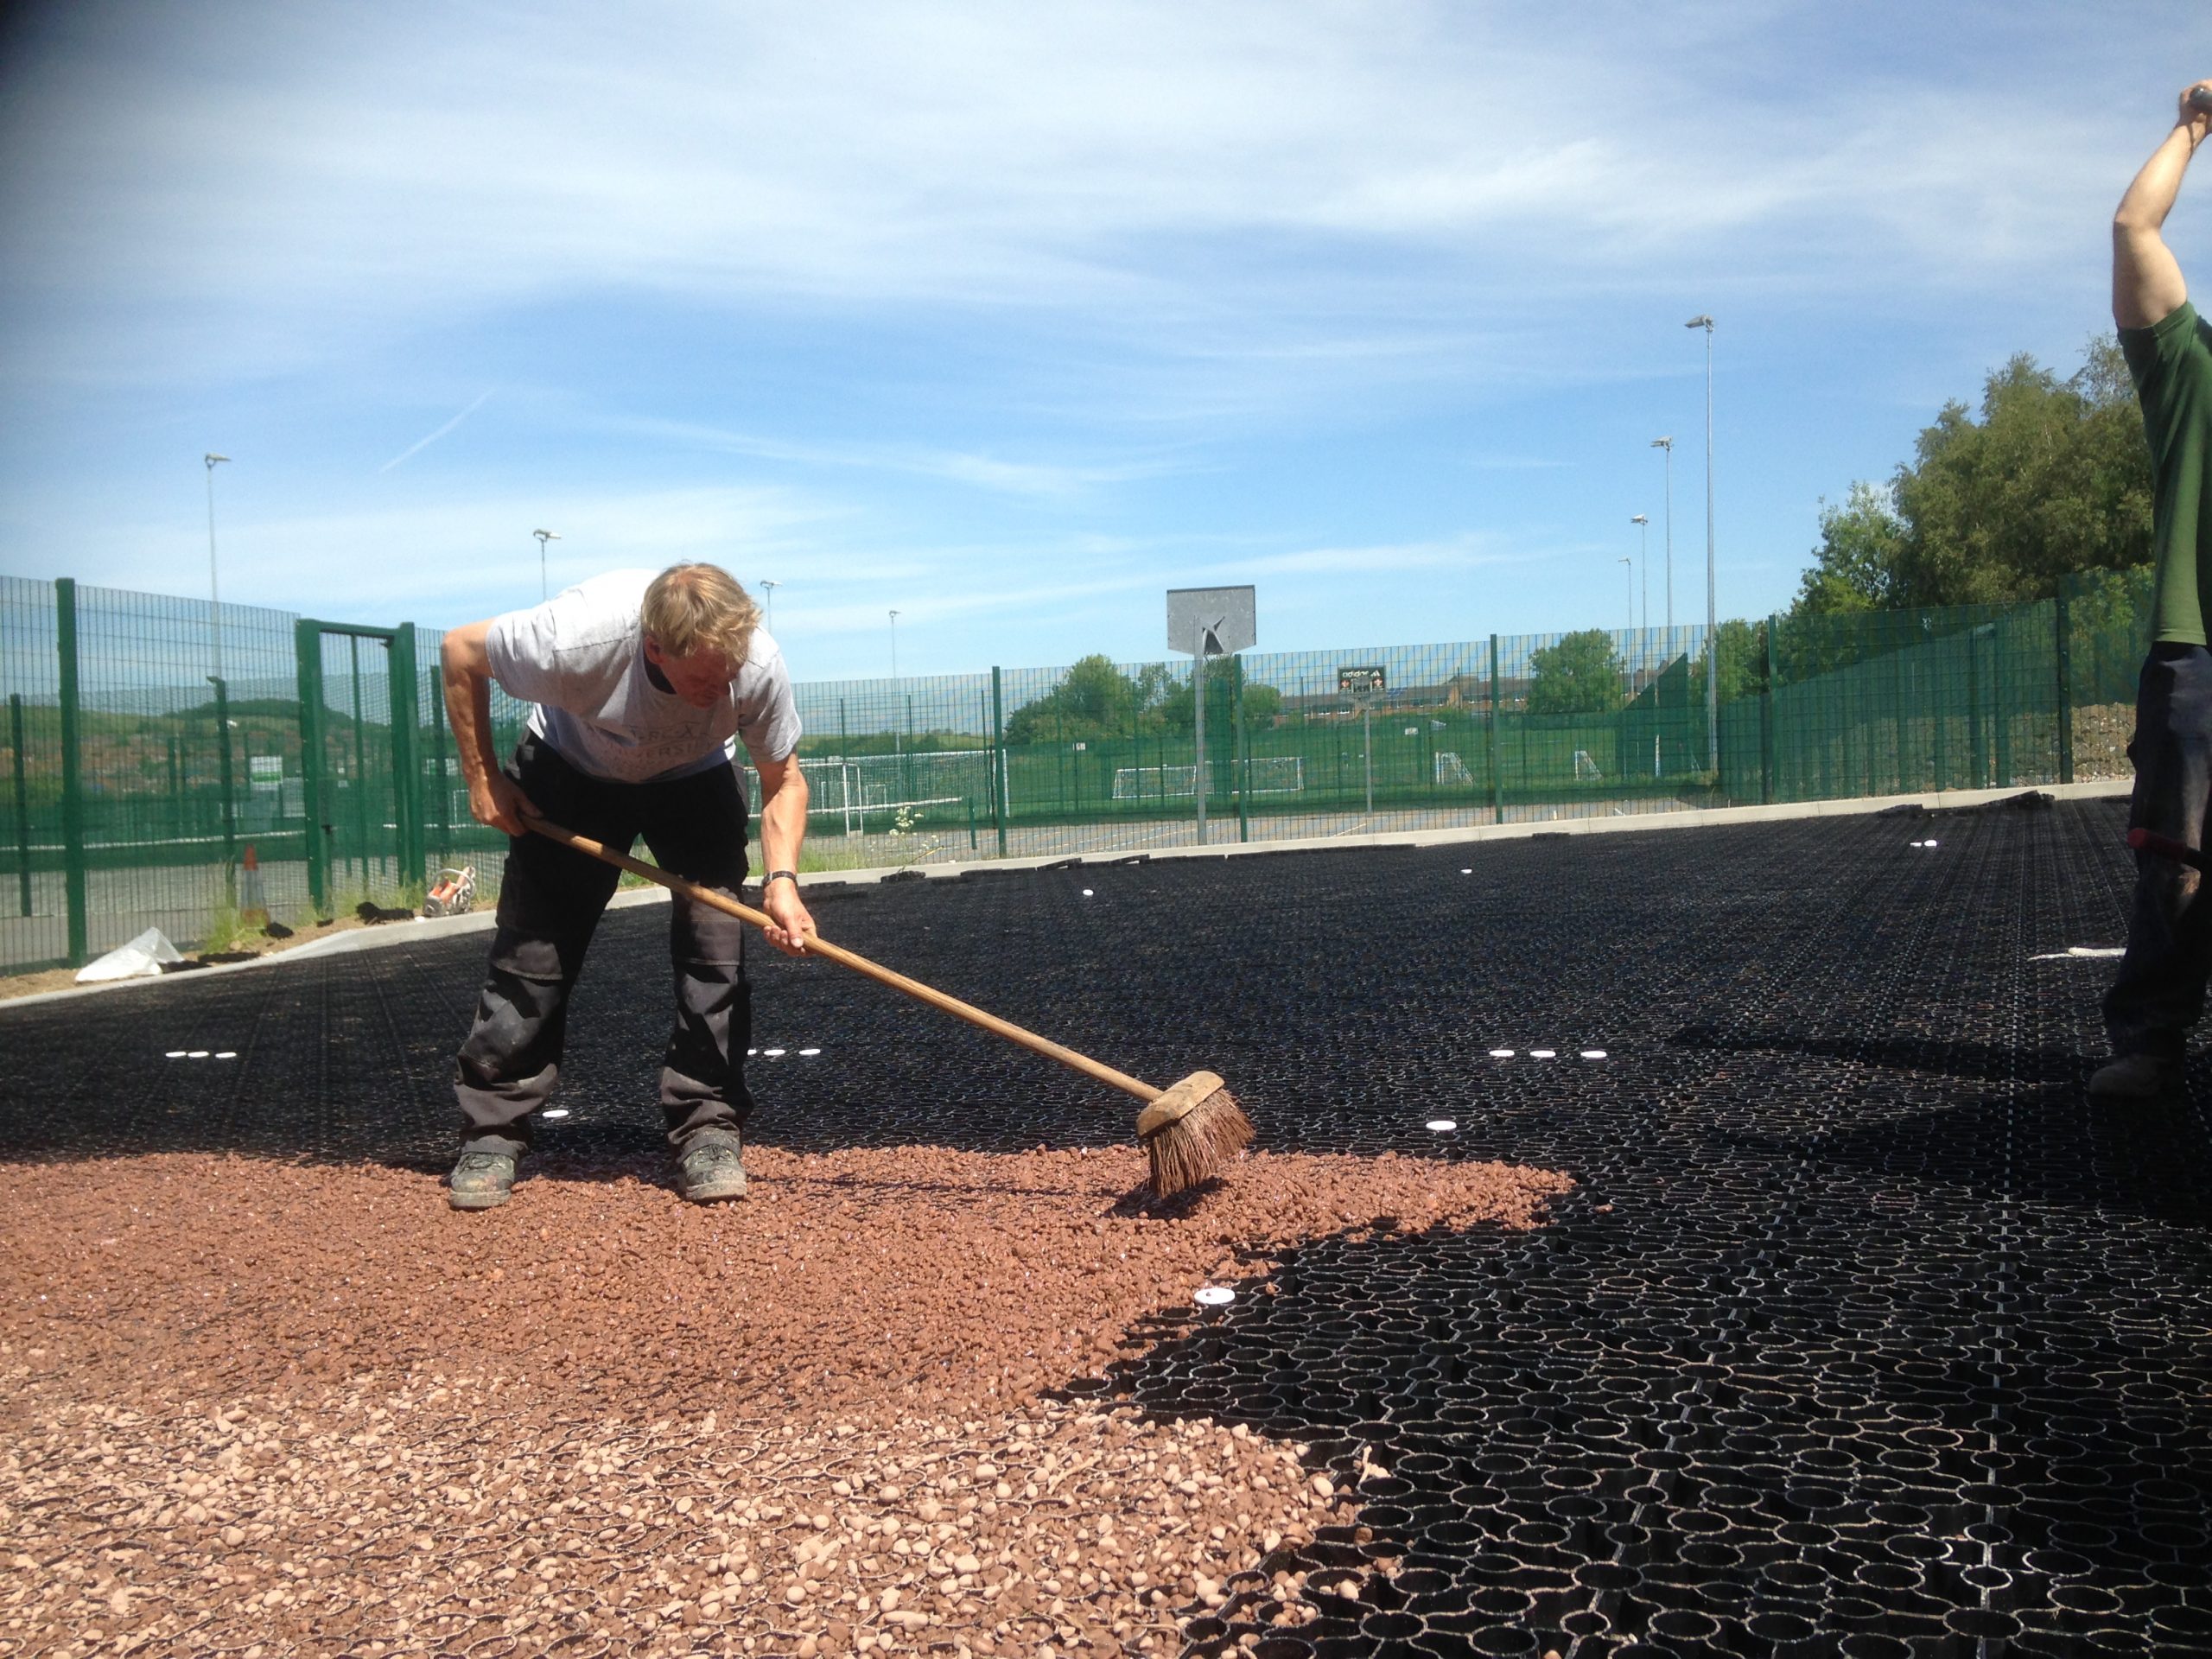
(550, 906)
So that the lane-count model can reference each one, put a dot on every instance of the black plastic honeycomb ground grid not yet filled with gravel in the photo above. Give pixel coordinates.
(1864, 1335)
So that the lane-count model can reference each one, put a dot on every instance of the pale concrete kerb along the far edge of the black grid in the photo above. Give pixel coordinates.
(379, 937)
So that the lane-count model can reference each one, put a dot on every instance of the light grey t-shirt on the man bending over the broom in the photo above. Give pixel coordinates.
(581, 658)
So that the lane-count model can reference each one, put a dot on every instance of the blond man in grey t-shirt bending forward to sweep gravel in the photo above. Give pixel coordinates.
(643, 689)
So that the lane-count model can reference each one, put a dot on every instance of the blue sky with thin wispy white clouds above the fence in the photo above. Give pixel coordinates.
(1012, 317)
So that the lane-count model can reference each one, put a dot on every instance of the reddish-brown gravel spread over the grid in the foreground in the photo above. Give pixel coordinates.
(313, 1410)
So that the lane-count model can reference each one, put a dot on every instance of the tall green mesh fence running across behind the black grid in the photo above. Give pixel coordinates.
(171, 773)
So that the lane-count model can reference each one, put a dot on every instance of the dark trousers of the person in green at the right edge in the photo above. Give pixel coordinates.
(2162, 979)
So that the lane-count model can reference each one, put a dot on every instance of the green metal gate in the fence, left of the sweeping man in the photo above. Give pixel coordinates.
(362, 782)
